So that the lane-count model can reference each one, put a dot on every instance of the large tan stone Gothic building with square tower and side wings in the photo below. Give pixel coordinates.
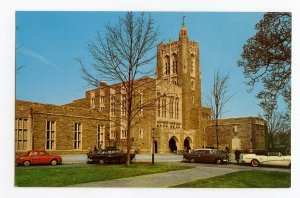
(167, 109)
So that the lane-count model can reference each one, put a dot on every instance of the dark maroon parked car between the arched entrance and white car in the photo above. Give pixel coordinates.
(206, 155)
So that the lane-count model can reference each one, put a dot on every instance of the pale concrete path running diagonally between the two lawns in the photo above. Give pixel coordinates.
(163, 180)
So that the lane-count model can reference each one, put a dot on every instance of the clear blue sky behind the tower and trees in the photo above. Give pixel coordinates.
(50, 42)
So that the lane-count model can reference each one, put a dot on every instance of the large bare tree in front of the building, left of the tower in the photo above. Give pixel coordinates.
(119, 56)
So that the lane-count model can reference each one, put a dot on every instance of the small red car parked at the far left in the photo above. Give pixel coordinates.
(38, 156)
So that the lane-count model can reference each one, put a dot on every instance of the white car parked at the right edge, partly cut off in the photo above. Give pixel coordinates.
(267, 158)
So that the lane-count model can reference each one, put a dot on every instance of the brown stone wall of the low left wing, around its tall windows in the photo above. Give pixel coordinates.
(64, 118)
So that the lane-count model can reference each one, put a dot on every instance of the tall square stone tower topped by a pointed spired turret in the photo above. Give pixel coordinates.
(178, 62)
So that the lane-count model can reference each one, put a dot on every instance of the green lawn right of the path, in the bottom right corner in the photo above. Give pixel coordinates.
(244, 179)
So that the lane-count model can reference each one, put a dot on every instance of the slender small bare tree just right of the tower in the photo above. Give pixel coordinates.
(217, 99)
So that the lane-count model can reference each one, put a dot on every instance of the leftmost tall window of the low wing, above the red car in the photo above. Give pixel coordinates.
(21, 134)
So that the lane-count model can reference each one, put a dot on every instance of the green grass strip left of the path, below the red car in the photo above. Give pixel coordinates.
(59, 176)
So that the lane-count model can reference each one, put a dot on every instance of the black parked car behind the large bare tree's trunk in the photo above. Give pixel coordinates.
(109, 155)
